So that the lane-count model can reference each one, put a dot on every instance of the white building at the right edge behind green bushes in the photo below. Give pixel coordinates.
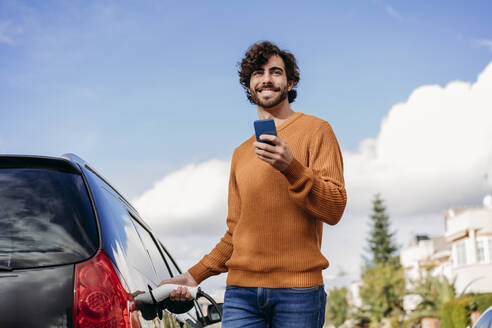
(464, 252)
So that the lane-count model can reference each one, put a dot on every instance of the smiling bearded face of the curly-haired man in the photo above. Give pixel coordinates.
(268, 85)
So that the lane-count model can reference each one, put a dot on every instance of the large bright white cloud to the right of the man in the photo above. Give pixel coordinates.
(432, 152)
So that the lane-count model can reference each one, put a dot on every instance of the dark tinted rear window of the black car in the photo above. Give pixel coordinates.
(46, 218)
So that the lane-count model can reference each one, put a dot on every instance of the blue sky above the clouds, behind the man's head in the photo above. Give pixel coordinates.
(141, 89)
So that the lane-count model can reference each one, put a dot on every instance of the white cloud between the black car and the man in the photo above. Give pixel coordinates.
(190, 200)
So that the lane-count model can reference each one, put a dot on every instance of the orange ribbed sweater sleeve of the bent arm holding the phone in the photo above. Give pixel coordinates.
(319, 188)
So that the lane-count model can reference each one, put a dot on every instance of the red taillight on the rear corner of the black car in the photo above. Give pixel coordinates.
(100, 300)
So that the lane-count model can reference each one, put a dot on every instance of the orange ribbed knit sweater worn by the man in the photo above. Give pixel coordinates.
(275, 219)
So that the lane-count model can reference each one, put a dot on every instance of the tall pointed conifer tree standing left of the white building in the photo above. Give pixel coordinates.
(381, 245)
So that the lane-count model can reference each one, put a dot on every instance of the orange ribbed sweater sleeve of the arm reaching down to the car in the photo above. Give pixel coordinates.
(214, 262)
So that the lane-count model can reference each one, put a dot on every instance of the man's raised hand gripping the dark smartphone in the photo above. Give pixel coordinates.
(278, 156)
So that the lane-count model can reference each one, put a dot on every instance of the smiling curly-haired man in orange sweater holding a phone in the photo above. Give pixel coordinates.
(279, 197)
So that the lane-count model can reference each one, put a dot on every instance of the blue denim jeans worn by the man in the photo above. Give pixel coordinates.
(274, 307)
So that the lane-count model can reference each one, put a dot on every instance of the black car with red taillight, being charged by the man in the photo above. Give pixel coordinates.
(75, 253)
